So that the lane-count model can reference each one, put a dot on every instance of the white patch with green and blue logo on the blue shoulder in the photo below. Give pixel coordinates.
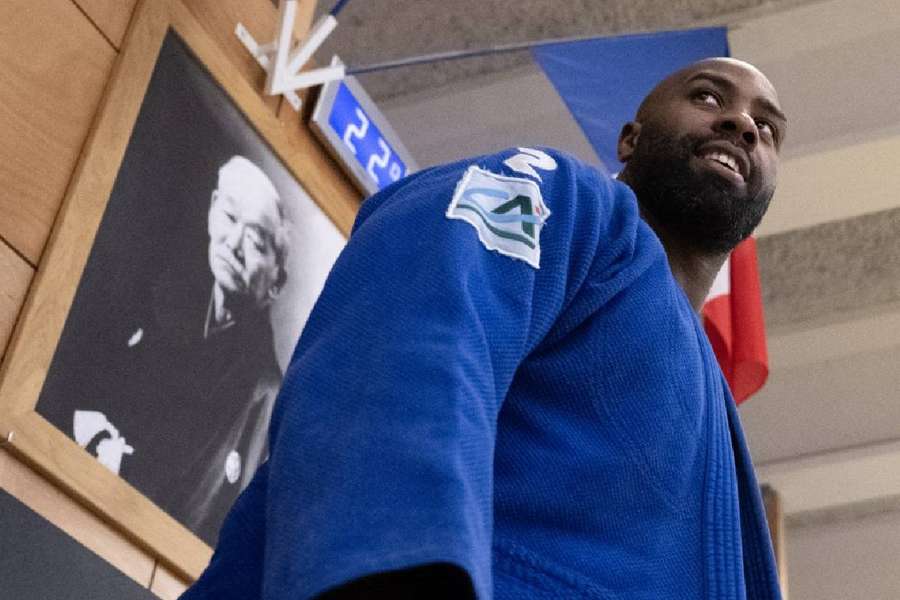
(507, 212)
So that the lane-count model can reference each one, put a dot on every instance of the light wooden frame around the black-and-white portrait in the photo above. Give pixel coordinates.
(25, 432)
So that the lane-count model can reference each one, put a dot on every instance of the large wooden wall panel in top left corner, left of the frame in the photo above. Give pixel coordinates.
(54, 67)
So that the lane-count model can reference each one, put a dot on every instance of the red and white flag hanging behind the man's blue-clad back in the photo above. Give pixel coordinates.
(733, 319)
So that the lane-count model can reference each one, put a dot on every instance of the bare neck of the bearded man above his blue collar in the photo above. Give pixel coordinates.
(693, 270)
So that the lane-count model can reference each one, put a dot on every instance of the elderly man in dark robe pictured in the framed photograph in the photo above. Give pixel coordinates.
(176, 392)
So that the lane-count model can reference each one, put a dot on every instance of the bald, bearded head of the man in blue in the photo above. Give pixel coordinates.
(701, 154)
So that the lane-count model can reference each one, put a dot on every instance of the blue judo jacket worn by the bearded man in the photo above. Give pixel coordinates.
(503, 374)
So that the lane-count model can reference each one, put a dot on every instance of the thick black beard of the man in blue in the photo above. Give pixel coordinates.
(699, 207)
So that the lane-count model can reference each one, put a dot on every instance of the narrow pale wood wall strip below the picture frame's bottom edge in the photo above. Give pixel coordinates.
(89, 530)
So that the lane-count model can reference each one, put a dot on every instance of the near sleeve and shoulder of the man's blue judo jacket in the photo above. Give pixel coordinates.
(382, 439)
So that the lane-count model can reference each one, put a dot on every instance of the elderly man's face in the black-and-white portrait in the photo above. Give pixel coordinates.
(243, 220)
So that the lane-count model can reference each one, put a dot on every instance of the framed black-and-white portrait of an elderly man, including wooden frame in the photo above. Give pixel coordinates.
(193, 244)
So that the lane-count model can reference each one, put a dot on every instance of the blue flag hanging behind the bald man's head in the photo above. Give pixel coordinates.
(603, 81)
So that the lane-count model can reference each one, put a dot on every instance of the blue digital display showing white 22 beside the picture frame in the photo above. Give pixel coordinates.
(359, 135)
